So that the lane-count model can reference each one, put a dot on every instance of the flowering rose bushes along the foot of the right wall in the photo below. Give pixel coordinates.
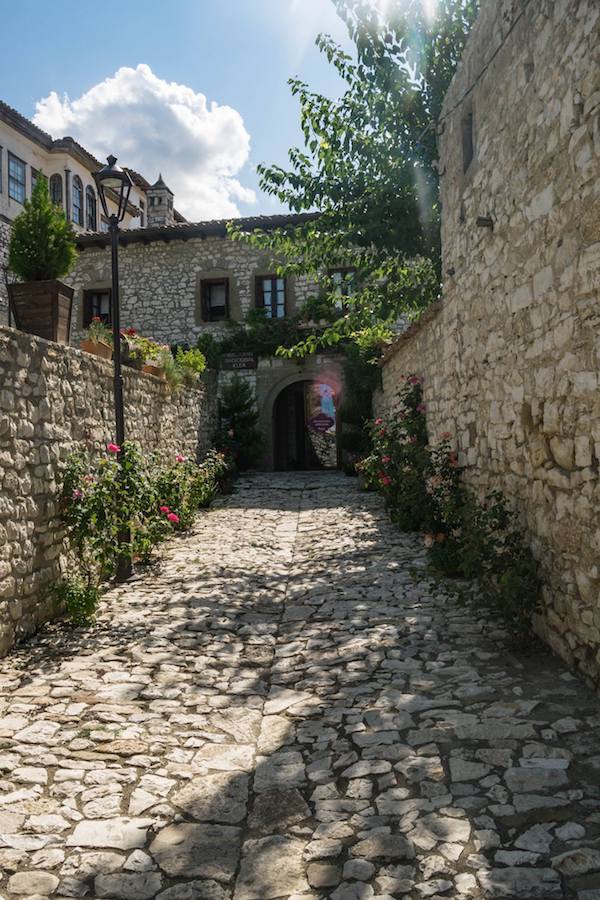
(423, 490)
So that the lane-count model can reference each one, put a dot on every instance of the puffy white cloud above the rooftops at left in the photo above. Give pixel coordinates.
(157, 126)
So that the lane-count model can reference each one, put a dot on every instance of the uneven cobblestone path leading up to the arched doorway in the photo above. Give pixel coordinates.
(289, 708)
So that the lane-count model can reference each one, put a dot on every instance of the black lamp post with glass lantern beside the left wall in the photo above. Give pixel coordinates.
(117, 183)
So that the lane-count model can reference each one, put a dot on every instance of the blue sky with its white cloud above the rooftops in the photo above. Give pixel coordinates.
(237, 53)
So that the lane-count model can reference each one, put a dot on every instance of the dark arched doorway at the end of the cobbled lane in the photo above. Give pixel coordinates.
(305, 426)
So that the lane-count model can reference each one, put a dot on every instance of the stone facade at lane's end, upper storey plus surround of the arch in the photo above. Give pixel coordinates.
(160, 290)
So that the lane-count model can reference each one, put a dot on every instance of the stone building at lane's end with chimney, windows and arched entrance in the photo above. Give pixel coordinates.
(181, 280)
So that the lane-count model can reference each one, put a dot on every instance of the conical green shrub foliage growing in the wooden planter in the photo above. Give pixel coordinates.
(42, 240)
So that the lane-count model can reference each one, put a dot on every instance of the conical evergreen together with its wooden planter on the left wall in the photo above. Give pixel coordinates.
(40, 252)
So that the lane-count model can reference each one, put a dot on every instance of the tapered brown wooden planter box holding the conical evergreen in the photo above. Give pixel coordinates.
(42, 308)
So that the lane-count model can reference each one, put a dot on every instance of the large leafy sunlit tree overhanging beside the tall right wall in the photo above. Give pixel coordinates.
(369, 164)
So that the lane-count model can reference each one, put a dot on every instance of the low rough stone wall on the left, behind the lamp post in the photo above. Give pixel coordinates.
(53, 400)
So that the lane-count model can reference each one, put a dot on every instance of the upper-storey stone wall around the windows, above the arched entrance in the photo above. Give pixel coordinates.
(160, 284)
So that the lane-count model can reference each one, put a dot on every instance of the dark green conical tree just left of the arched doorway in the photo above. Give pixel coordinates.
(240, 436)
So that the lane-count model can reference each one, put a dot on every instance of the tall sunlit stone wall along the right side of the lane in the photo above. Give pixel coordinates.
(510, 356)
